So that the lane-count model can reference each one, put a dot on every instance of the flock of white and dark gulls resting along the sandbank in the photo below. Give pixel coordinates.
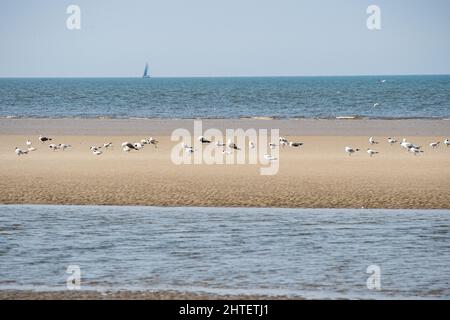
(227, 148)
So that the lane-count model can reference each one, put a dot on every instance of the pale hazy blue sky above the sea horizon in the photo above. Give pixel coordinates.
(183, 38)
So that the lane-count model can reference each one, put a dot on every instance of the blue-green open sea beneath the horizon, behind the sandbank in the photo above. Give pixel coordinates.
(278, 97)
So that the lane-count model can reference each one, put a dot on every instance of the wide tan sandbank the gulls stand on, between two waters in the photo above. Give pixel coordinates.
(319, 174)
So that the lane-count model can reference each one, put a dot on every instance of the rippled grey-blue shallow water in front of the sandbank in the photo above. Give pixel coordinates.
(312, 253)
